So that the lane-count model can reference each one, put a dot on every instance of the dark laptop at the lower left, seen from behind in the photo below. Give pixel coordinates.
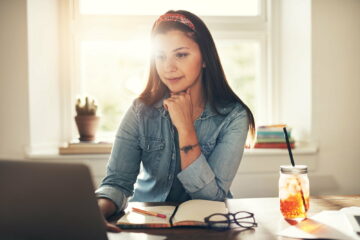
(43, 200)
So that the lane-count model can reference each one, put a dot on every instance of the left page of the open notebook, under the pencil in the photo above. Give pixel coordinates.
(135, 218)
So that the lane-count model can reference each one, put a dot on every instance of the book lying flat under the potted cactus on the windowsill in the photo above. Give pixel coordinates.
(77, 147)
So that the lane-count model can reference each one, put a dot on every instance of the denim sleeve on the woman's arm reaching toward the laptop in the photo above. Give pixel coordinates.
(124, 163)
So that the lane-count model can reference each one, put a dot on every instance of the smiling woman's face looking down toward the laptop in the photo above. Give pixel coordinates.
(178, 61)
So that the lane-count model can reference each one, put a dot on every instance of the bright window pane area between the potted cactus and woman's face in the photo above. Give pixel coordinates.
(113, 72)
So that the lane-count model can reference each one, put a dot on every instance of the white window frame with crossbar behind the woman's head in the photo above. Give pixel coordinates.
(79, 27)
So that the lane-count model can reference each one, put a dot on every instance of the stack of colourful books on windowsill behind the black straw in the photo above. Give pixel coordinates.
(272, 136)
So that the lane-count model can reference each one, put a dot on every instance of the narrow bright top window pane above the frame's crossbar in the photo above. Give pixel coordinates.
(157, 7)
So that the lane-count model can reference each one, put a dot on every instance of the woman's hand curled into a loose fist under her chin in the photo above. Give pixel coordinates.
(180, 109)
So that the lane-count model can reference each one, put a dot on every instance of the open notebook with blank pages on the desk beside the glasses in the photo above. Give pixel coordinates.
(189, 213)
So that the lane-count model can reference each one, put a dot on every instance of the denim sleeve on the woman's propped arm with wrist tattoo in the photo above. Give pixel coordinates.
(211, 178)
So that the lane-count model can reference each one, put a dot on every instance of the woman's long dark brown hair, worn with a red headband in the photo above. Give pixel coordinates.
(215, 86)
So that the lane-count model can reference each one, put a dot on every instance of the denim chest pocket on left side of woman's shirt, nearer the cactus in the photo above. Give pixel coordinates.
(152, 149)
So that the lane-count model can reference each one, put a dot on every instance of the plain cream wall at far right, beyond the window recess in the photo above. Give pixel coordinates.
(336, 94)
